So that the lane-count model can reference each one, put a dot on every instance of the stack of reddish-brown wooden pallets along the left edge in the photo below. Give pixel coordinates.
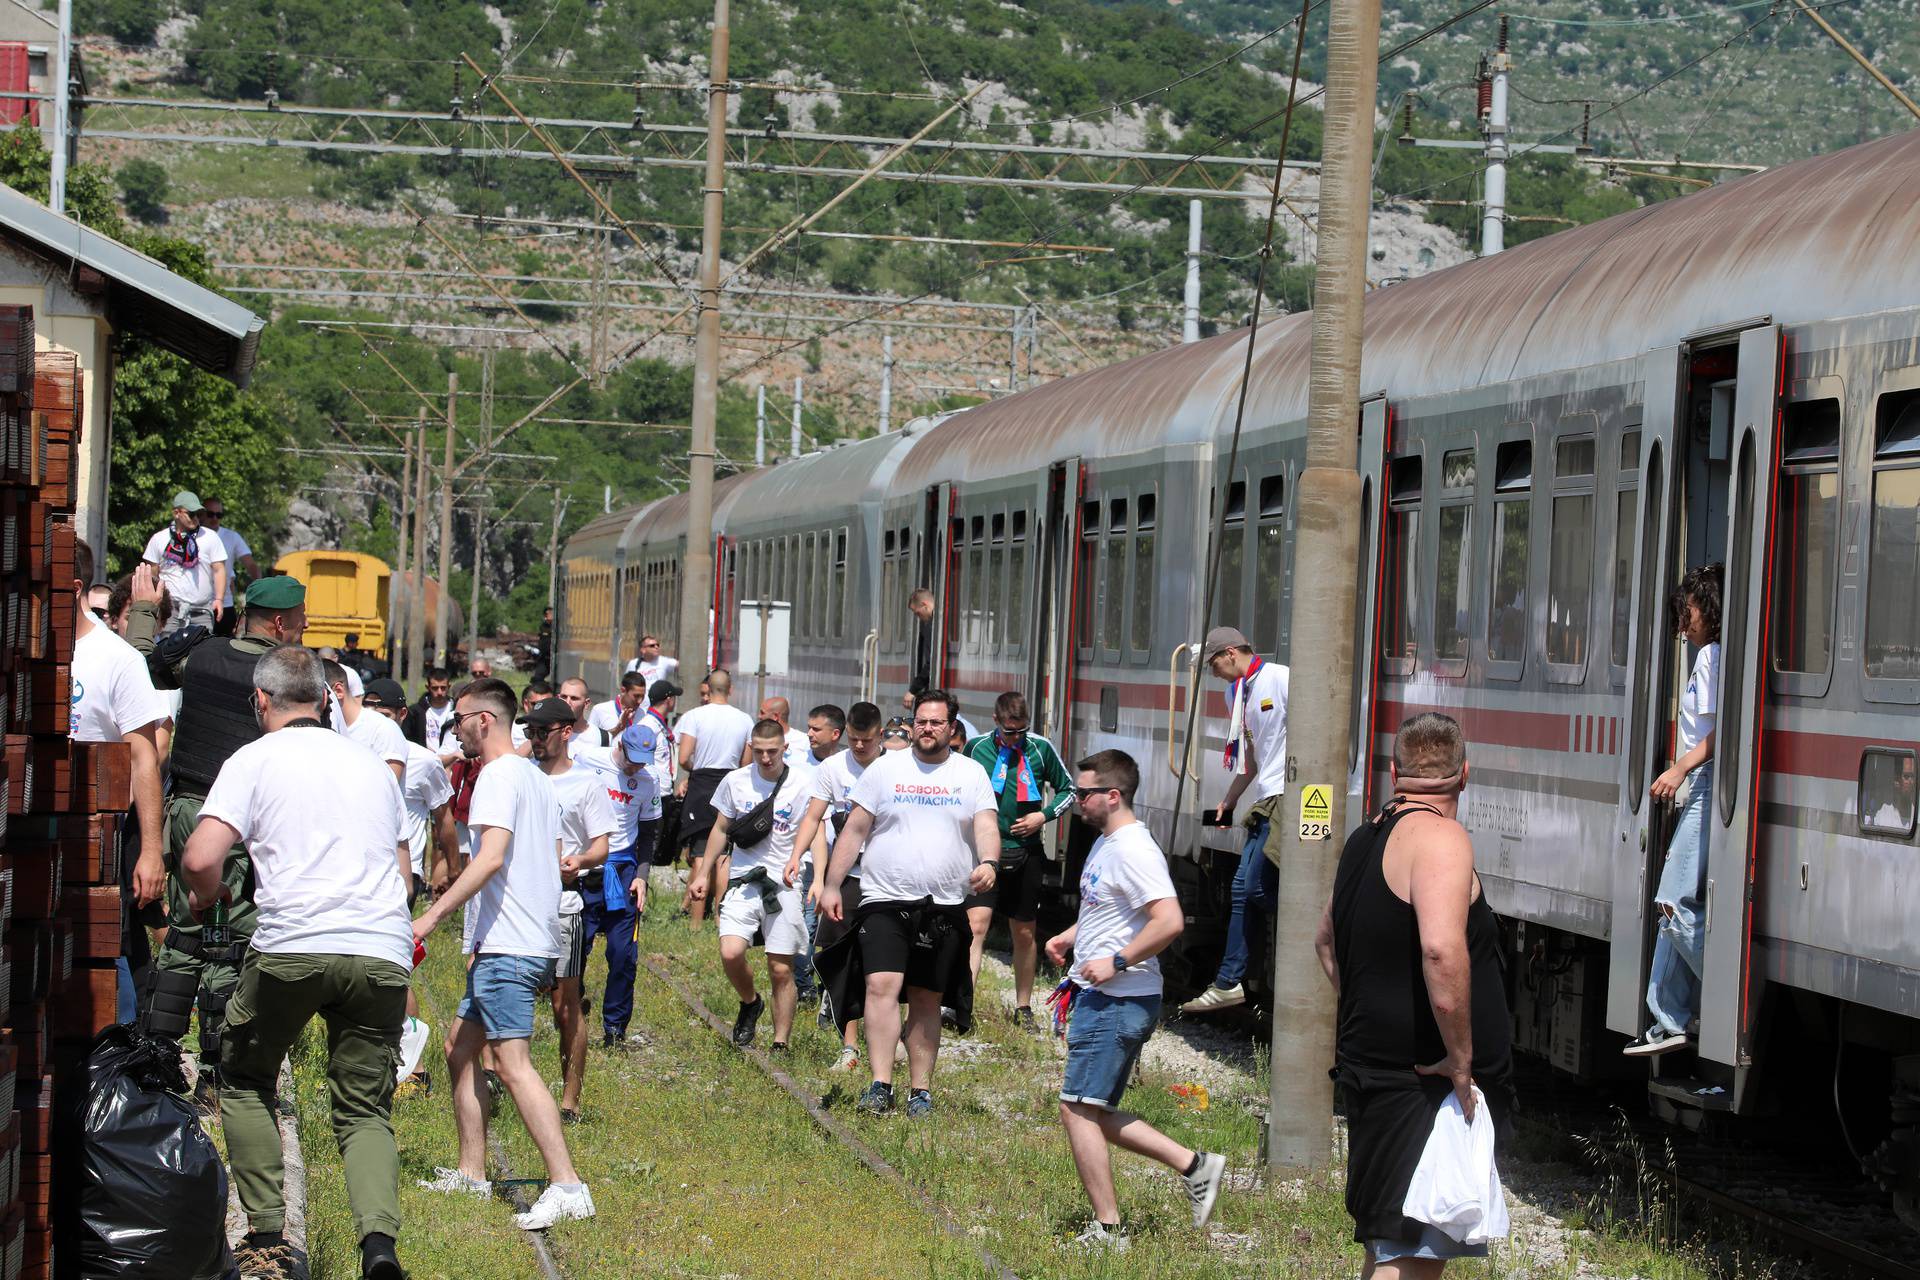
(60, 899)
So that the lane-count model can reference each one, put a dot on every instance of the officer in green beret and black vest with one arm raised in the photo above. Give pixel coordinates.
(201, 960)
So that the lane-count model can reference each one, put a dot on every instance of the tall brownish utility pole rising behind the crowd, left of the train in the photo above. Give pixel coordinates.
(696, 602)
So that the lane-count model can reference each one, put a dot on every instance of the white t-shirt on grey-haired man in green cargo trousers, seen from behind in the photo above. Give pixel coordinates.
(322, 820)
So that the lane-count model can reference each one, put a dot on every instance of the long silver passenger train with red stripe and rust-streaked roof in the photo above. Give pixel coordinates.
(1554, 437)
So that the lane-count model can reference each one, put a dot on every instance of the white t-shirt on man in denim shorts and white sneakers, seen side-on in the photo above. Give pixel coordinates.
(517, 913)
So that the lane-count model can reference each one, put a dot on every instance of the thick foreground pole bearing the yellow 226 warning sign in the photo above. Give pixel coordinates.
(1322, 638)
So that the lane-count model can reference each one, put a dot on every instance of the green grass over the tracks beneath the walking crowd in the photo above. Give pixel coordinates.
(704, 1168)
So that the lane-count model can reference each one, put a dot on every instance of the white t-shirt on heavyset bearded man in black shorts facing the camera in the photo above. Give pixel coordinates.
(923, 841)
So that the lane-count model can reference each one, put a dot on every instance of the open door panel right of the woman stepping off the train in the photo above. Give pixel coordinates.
(1729, 985)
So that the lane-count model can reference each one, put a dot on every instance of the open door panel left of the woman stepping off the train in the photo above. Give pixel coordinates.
(1641, 826)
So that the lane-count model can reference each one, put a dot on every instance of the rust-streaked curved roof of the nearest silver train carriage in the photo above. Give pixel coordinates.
(1817, 239)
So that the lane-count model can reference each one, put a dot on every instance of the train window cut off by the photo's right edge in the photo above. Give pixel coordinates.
(1894, 567)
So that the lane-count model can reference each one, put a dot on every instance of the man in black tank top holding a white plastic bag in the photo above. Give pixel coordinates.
(1412, 951)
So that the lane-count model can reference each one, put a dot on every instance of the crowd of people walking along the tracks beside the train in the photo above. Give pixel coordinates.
(302, 832)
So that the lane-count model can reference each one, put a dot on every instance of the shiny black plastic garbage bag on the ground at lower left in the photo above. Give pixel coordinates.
(153, 1183)
